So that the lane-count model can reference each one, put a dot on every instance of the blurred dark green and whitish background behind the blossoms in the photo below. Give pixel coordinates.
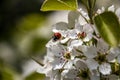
(24, 31)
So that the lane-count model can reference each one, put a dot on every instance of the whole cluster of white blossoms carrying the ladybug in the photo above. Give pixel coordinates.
(78, 52)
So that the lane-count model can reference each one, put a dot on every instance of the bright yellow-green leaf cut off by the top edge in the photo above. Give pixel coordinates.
(59, 5)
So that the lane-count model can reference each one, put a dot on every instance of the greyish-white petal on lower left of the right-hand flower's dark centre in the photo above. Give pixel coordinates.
(92, 64)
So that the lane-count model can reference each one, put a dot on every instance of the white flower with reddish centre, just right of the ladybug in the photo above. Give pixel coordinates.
(78, 30)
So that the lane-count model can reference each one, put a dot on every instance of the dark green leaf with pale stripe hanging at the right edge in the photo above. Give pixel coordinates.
(108, 26)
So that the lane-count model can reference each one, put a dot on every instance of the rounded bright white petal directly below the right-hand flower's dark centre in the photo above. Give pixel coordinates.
(105, 68)
